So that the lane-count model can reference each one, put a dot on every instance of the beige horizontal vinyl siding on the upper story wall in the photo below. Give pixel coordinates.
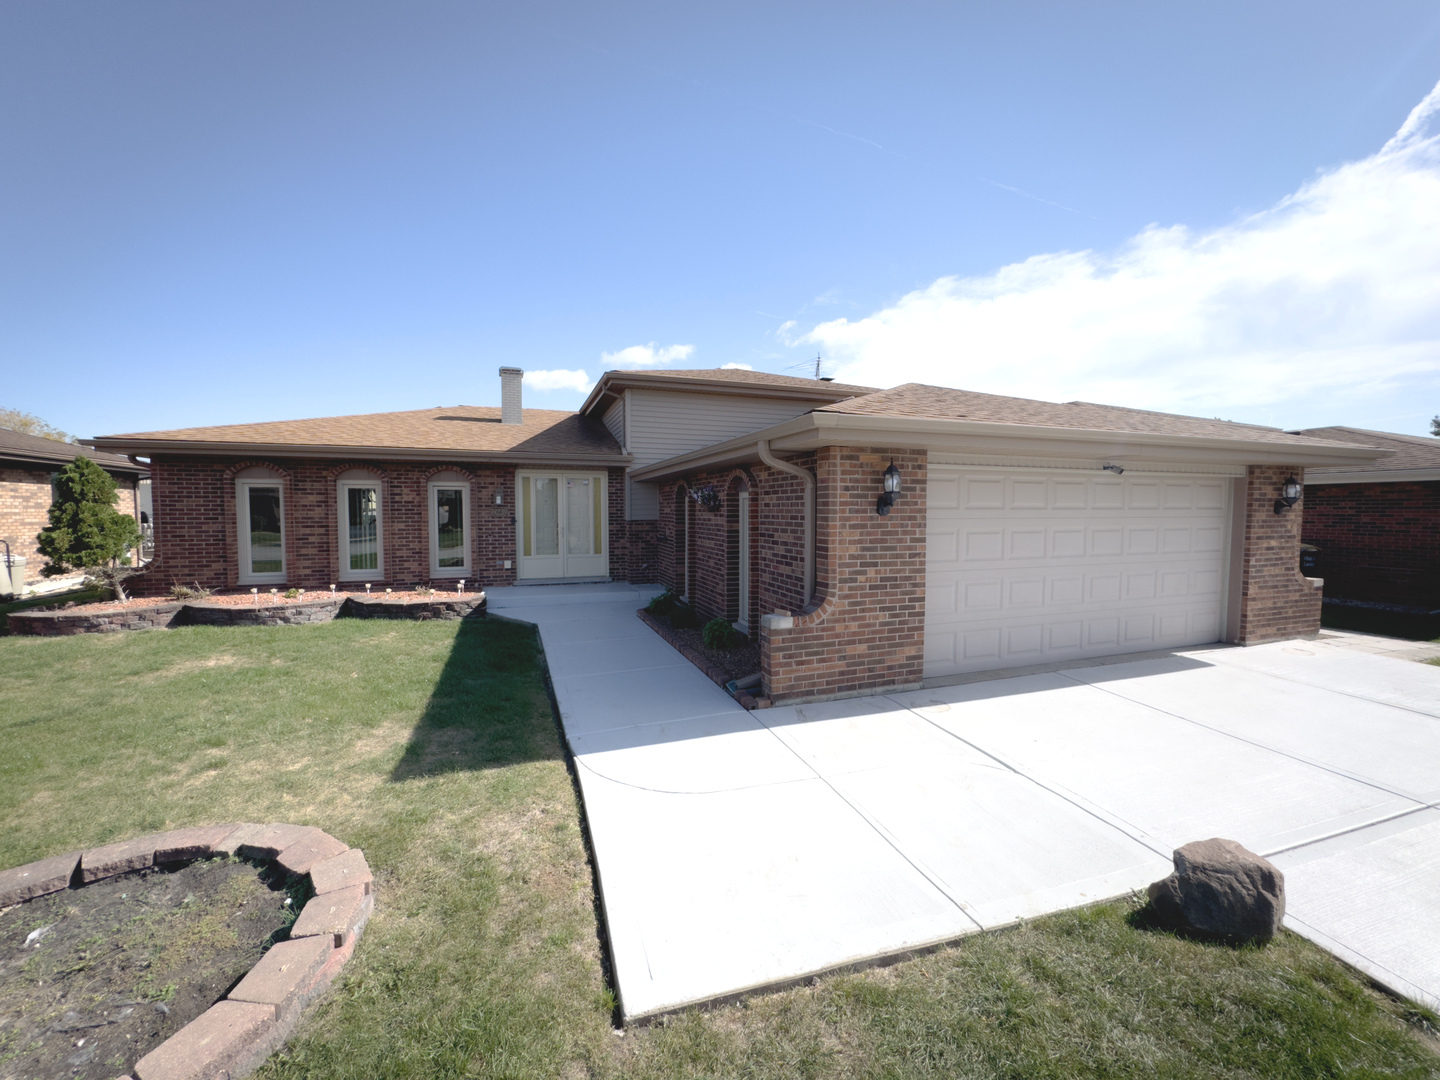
(663, 424)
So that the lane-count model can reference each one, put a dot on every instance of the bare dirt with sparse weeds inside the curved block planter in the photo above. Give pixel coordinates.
(94, 978)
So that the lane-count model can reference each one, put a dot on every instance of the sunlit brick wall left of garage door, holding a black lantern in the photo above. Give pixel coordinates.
(866, 627)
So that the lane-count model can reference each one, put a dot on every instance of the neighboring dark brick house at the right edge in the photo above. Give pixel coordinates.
(1377, 525)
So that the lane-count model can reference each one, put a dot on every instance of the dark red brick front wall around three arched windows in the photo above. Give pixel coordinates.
(197, 523)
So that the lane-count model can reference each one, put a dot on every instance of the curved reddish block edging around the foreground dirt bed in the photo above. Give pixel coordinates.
(240, 1032)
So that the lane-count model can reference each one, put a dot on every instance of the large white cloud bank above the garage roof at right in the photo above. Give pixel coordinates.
(1330, 297)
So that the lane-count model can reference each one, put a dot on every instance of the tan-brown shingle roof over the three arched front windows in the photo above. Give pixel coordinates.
(463, 428)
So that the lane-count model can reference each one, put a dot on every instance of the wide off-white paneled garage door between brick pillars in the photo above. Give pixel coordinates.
(1033, 568)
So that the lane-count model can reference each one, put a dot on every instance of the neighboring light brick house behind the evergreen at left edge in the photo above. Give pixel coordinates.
(28, 466)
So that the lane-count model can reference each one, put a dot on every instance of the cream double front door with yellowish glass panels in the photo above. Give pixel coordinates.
(562, 525)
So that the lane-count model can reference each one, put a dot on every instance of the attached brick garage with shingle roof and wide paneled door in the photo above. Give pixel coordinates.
(1023, 534)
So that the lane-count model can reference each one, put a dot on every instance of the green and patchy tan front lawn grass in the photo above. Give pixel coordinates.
(433, 747)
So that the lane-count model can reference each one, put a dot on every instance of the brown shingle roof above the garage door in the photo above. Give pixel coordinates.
(944, 404)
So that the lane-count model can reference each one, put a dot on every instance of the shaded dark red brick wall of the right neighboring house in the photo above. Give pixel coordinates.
(1379, 542)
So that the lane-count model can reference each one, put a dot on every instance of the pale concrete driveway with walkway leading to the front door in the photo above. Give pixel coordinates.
(747, 850)
